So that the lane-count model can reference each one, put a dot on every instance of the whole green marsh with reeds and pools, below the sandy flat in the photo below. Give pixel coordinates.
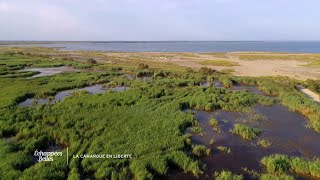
(175, 122)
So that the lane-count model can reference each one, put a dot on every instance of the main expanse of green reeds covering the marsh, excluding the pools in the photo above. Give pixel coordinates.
(148, 120)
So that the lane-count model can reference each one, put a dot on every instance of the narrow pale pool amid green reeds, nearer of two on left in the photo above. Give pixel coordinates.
(96, 89)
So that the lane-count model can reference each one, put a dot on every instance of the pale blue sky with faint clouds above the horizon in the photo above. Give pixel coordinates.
(159, 20)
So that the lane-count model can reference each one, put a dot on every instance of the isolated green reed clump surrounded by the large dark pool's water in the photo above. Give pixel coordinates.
(246, 132)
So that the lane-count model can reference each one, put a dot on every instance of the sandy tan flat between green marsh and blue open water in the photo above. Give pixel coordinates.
(299, 66)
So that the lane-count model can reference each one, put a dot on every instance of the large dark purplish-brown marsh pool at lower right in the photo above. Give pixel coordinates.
(285, 129)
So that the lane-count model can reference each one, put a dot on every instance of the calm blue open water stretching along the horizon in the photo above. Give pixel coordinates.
(189, 46)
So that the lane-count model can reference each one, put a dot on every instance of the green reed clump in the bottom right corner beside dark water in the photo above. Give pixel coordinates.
(281, 164)
